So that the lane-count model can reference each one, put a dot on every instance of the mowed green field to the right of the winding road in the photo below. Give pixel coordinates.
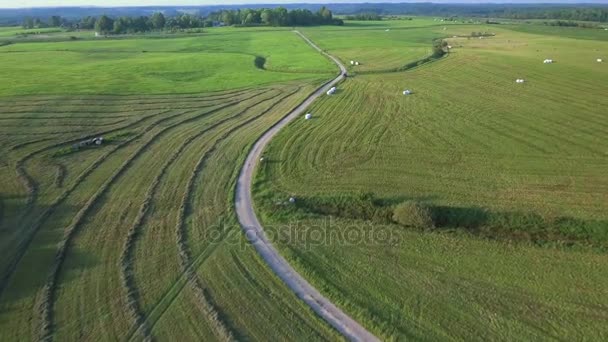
(468, 139)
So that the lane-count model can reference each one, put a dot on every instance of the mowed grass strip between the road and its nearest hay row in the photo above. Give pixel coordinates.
(214, 210)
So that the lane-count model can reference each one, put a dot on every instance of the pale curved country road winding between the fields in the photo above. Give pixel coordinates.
(255, 232)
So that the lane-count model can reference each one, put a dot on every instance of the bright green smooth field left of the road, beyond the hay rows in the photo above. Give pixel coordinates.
(218, 61)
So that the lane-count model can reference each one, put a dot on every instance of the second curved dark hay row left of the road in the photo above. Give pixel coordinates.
(127, 256)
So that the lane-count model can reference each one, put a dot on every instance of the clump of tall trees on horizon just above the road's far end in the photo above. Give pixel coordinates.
(279, 16)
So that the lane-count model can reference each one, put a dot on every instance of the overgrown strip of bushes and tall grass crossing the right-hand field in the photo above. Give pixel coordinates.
(544, 229)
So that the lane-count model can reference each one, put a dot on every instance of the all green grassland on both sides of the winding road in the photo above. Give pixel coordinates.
(137, 238)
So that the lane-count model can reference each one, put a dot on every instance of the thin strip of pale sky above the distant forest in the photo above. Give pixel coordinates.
(123, 3)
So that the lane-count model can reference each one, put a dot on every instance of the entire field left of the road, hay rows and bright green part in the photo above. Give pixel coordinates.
(136, 238)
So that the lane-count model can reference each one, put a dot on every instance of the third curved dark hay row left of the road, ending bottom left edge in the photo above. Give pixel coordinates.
(47, 296)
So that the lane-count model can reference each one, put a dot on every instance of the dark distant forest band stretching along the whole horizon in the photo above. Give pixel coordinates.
(302, 14)
